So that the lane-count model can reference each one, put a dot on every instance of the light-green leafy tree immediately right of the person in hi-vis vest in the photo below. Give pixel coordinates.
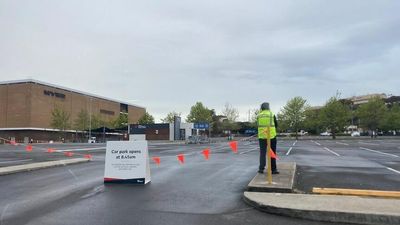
(293, 113)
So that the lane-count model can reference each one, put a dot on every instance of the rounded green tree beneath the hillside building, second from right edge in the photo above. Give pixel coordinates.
(372, 113)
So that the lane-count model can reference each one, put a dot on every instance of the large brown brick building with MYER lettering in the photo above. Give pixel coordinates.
(26, 109)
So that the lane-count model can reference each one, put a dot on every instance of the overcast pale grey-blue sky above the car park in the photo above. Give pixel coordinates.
(166, 55)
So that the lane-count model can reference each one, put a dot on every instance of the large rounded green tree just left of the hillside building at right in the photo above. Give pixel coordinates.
(334, 116)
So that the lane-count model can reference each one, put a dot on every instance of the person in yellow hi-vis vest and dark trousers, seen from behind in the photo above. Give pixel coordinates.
(266, 120)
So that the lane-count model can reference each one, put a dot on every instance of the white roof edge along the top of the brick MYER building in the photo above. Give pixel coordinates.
(66, 89)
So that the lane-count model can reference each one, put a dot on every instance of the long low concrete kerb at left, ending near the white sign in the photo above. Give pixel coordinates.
(40, 165)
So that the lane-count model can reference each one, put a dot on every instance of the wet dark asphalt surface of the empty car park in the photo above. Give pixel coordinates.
(197, 192)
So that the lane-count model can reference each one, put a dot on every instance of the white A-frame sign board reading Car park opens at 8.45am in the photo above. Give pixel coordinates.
(127, 162)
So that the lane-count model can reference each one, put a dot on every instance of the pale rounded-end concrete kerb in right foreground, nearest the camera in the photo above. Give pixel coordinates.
(344, 209)
